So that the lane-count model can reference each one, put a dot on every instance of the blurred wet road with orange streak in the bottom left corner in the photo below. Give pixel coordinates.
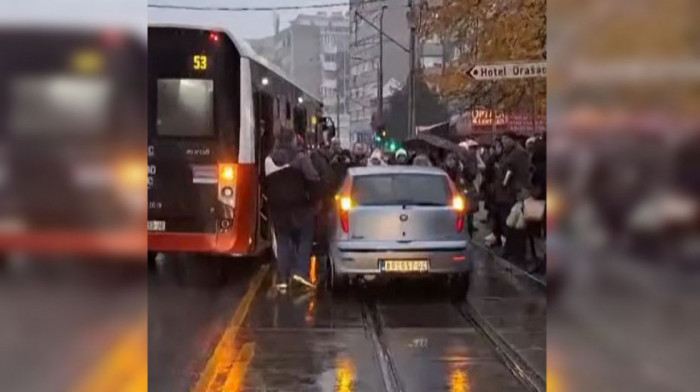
(66, 320)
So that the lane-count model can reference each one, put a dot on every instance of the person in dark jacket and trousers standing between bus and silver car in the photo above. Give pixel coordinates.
(290, 179)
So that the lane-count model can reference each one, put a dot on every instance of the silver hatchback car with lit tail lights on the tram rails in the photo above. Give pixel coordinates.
(399, 221)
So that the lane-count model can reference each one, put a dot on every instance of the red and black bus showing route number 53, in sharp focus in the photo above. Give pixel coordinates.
(214, 107)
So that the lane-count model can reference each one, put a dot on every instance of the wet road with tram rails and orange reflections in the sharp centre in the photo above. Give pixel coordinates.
(229, 331)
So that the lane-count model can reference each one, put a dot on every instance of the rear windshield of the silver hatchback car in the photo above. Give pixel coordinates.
(400, 189)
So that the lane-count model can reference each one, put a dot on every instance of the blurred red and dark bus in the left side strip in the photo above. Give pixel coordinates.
(72, 127)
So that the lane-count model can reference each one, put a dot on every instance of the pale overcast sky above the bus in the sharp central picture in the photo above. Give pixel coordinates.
(249, 24)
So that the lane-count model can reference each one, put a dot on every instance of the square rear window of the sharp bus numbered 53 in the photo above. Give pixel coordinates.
(185, 107)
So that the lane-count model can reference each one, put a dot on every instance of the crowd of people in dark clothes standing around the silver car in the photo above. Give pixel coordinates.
(300, 184)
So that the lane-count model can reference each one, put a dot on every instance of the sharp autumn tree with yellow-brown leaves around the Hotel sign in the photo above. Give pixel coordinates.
(484, 32)
